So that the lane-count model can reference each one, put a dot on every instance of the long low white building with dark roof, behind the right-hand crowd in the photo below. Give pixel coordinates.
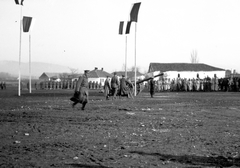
(187, 70)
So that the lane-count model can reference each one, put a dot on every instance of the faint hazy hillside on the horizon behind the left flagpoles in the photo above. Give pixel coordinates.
(37, 68)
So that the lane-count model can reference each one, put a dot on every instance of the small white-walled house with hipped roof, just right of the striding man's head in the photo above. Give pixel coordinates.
(98, 76)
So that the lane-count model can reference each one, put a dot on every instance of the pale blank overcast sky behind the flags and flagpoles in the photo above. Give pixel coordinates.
(83, 34)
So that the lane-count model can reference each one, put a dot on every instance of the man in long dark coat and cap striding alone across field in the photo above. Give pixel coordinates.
(81, 91)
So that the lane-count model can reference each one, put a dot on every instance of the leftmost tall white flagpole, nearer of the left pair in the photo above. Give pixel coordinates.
(20, 46)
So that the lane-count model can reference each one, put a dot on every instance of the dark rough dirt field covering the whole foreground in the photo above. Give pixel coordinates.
(170, 130)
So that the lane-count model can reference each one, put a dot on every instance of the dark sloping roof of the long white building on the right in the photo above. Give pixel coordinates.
(163, 67)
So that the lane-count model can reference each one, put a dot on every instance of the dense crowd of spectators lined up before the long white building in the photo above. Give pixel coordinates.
(196, 84)
